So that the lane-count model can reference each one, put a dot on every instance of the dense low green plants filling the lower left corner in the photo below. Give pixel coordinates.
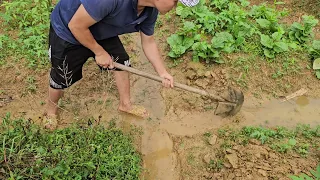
(94, 152)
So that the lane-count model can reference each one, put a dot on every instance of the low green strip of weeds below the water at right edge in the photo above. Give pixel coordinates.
(281, 139)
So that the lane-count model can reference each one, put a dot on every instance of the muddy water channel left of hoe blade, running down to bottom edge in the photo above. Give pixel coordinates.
(160, 161)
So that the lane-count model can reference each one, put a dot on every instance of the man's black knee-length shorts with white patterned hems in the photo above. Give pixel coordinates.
(68, 59)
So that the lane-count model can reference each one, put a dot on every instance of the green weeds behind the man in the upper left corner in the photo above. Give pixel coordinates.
(26, 26)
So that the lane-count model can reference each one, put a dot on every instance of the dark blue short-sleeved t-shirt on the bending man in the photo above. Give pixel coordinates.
(114, 17)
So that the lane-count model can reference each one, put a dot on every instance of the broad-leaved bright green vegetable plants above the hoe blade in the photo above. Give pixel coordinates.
(213, 28)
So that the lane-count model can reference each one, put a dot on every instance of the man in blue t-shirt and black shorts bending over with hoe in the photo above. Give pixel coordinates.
(89, 28)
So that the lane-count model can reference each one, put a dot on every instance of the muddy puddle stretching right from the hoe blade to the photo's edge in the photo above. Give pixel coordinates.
(290, 113)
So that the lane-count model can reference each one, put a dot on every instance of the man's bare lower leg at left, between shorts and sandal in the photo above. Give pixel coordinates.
(53, 99)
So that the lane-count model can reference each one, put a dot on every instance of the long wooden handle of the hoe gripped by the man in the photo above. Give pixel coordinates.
(159, 79)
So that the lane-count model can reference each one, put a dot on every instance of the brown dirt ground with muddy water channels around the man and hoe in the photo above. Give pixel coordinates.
(172, 144)
